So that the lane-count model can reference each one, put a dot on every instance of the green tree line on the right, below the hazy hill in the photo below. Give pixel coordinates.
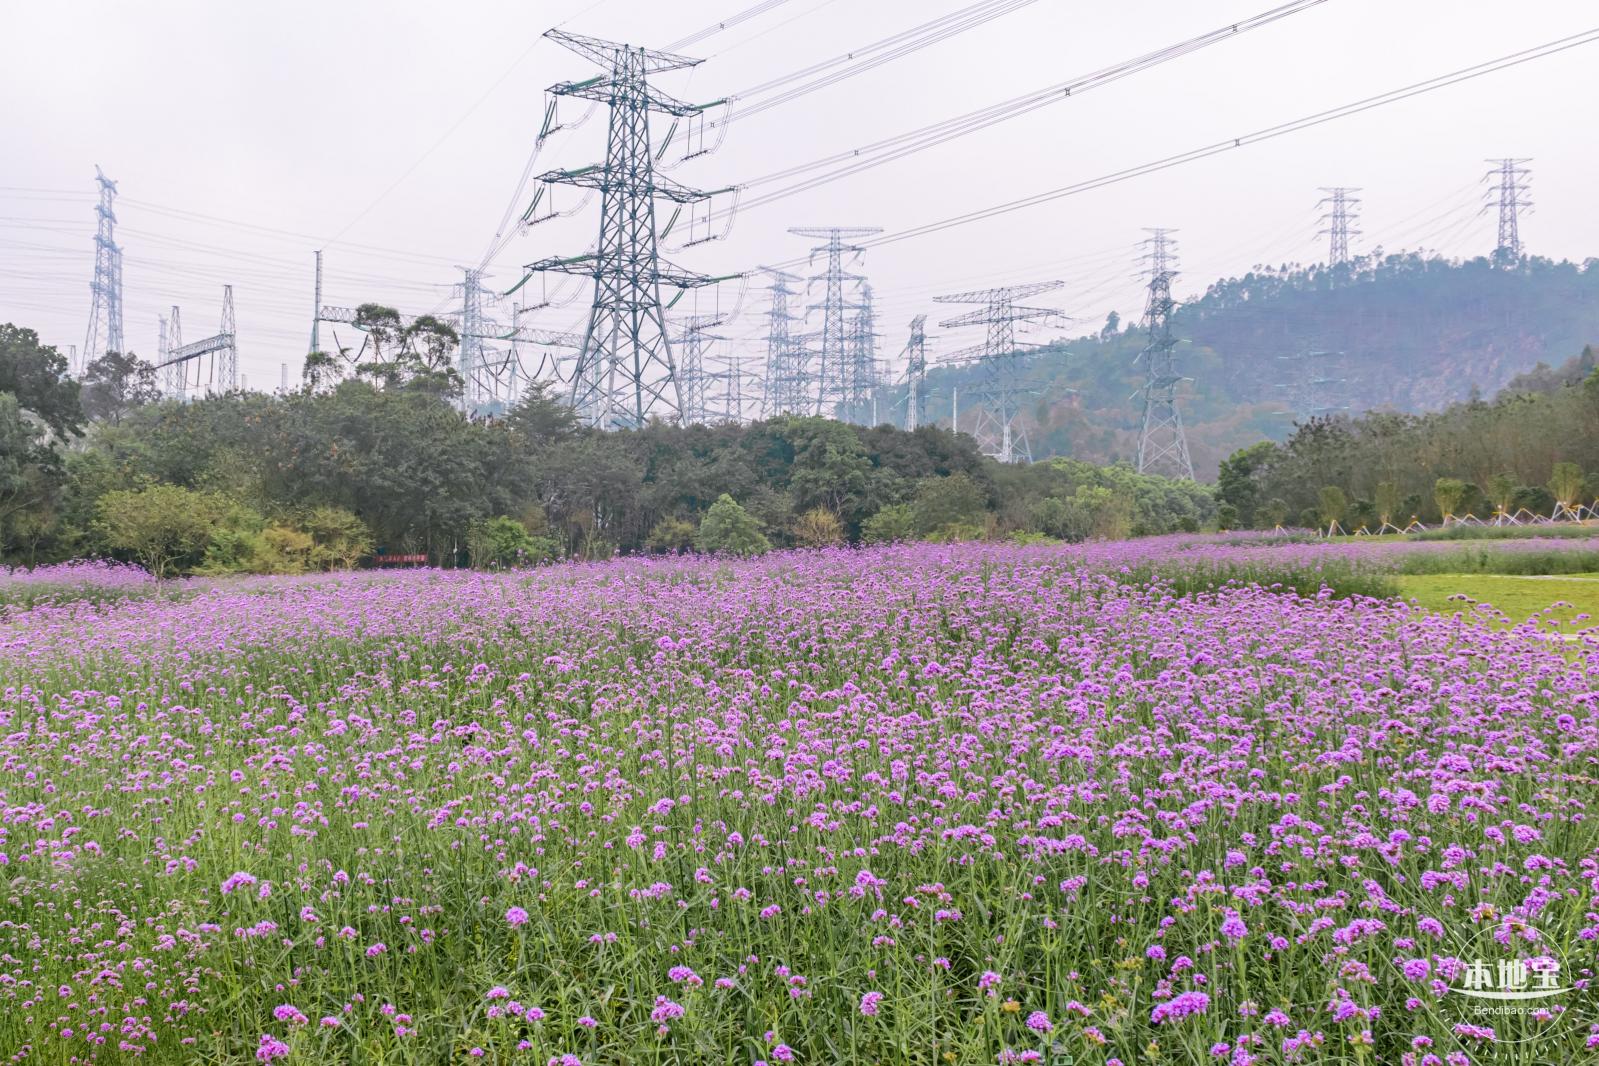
(1533, 448)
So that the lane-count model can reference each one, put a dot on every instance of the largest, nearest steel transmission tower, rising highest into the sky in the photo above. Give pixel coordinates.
(624, 373)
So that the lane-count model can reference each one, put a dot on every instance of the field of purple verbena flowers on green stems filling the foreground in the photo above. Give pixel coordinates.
(911, 805)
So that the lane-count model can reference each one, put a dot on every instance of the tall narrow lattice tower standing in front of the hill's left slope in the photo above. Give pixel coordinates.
(1163, 447)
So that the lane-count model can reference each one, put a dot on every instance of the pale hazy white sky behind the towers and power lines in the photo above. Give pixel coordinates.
(393, 133)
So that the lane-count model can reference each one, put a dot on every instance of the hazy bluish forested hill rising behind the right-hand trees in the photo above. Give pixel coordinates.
(1403, 333)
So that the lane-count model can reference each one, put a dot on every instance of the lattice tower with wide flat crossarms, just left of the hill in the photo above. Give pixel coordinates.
(1002, 362)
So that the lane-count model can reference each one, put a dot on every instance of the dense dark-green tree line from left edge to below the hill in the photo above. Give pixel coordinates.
(372, 456)
